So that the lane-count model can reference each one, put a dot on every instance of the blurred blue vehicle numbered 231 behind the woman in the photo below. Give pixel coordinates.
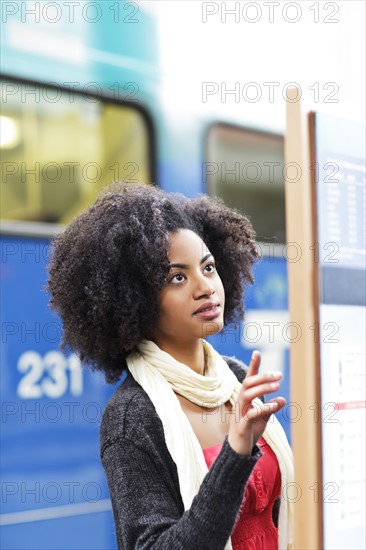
(82, 107)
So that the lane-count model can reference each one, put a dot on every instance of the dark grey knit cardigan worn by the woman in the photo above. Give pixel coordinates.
(143, 480)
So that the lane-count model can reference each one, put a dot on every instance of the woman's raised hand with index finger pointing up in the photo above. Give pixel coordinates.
(248, 420)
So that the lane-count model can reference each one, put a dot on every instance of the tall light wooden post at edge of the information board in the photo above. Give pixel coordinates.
(304, 308)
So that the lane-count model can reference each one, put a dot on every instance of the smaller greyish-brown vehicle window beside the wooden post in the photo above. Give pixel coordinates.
(245, 168)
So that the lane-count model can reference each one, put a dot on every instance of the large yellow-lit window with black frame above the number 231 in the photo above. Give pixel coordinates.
(60, 148)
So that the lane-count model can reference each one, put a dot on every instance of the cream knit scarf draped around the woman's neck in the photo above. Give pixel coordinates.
(159, 374)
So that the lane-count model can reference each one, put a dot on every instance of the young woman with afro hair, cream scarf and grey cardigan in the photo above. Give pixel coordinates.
(193, 456)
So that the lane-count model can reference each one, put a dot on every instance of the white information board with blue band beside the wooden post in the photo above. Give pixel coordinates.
(339, 159)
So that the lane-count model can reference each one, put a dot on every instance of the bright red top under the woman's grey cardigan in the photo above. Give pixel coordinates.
(254, 528)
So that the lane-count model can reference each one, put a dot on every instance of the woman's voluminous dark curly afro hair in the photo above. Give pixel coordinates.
(110, 263)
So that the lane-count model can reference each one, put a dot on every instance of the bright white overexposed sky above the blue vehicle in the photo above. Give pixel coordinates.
(327, 59)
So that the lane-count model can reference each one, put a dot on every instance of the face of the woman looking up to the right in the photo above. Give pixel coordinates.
(192, 285)
